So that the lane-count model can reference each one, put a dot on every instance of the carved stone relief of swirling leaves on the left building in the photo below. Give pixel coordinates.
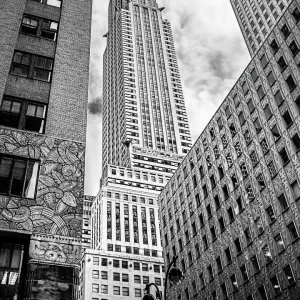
(57, 208)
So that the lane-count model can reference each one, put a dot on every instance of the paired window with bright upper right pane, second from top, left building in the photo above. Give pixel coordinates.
(39, 27)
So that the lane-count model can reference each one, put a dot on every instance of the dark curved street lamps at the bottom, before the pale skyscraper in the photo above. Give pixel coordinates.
(173, 274)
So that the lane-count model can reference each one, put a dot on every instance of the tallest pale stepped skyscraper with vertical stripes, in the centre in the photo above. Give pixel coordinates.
(145, 137)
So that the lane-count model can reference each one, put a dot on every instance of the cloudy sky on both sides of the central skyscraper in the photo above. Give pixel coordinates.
(211, 56)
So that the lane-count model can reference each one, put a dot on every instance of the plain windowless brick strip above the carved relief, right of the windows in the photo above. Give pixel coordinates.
(69, 93)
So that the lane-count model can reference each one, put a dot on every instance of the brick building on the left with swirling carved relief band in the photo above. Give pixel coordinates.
(44, 72)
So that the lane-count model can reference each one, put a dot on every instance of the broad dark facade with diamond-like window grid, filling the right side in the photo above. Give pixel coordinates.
(231, 210)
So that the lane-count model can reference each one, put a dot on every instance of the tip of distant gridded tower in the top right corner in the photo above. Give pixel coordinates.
(257, 18)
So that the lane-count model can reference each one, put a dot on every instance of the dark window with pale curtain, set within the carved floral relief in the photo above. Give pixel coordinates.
(18, 176)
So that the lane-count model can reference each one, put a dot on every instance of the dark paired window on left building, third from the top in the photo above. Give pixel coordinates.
(32, 66)
